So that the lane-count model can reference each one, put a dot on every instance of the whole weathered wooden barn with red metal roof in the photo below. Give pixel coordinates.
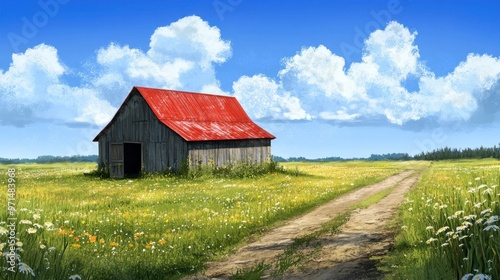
(156, 130)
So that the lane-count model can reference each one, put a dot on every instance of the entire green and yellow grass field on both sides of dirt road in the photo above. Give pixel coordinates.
(73, 226)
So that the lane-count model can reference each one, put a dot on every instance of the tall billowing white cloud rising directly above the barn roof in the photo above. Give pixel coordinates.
(181, 56)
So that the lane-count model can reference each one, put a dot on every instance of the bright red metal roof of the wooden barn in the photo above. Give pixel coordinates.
(201, 117)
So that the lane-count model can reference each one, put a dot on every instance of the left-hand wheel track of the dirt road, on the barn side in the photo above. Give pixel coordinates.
(274, 243)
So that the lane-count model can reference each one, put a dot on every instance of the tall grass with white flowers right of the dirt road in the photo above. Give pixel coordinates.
(450, 224)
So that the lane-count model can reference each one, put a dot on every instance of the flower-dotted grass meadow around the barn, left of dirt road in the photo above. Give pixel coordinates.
(72, 226)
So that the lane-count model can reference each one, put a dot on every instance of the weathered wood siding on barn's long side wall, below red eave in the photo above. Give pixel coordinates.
(223, 153)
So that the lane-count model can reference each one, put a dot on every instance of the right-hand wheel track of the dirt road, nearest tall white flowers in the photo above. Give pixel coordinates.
(348, 255)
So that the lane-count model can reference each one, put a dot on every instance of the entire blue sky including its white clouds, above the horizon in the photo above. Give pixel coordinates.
(328, 78)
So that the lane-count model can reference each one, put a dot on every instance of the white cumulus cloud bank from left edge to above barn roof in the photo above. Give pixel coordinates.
(181, 55)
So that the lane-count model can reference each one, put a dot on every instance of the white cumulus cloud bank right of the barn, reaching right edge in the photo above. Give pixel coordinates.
(325, 88)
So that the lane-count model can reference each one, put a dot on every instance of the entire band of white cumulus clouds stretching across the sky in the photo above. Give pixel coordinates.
(313, 84)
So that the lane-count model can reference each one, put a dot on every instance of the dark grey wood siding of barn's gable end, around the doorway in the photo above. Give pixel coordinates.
(135, 122)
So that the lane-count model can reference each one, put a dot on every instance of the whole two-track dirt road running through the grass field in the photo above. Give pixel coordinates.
(342, 256)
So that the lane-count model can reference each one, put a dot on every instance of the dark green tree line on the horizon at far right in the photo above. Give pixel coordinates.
(467, 153)
